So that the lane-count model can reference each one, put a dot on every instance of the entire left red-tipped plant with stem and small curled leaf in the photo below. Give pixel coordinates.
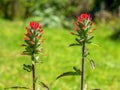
(32, 46)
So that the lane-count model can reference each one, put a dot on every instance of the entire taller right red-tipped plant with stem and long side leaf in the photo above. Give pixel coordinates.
(82, 32)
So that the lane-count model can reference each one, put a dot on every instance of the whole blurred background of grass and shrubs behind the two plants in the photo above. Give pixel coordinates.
(57, 17)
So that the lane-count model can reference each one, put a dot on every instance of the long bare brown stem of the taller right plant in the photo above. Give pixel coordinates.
(82, 75)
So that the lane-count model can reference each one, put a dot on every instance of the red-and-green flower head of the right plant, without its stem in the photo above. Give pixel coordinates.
(83, 27)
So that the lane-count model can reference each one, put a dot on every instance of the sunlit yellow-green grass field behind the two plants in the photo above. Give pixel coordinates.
(59, 58)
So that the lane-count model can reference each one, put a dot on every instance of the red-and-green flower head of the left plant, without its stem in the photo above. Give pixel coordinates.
(32, 38)
